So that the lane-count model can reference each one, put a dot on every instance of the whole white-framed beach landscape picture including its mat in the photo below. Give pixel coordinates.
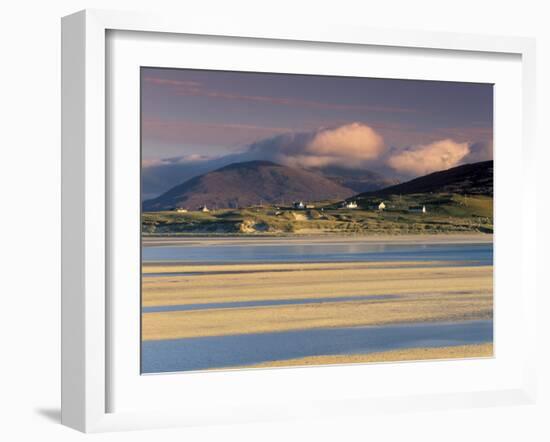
(266, 223)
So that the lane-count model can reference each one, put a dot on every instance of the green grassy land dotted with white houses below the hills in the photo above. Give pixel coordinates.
(446, 213)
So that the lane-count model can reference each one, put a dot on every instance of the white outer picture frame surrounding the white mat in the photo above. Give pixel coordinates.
(87, 207)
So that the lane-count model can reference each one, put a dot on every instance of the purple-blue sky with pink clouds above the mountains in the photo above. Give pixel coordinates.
(194, 121)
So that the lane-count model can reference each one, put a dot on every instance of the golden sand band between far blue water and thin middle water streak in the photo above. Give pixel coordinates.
(306, 280)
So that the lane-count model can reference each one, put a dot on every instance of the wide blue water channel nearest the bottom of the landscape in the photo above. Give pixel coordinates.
(238, 350)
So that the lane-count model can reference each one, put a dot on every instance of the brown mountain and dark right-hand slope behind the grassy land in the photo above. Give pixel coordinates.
(250, 183)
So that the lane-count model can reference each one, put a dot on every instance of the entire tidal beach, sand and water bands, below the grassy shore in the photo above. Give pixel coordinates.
(249, 306)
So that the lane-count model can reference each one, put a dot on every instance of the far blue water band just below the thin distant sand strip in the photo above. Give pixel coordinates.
(480, 254)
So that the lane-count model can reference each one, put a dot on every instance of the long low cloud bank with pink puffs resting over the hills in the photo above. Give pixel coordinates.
(352, 146)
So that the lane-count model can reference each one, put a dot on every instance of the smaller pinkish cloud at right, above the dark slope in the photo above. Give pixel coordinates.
(427, 158)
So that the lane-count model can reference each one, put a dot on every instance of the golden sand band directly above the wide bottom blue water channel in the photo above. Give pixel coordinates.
(219, 322)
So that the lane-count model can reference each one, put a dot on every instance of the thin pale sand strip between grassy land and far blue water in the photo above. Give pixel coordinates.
(442, 238)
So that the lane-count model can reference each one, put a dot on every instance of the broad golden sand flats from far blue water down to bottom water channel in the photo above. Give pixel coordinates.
(422, 293)
